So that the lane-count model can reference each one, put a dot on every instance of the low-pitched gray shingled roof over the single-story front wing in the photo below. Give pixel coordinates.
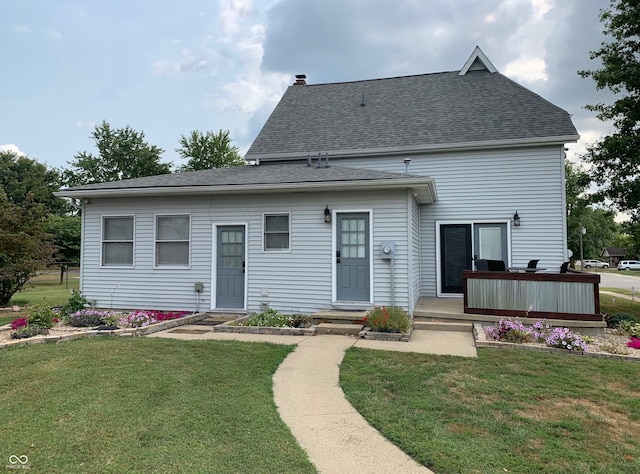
(275, 177)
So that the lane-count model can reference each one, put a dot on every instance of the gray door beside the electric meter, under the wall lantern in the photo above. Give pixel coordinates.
(352, 257)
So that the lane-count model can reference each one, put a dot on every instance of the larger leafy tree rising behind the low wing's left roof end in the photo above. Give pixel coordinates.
(122, 154)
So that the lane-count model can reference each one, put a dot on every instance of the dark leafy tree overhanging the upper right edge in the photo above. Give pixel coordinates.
(615, 159)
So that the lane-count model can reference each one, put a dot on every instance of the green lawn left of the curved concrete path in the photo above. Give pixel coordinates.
(145, 405)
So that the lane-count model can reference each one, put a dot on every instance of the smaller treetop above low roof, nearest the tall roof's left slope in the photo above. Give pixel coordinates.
(209, 150)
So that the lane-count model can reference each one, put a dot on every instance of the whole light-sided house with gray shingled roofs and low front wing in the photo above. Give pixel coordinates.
(372, 192)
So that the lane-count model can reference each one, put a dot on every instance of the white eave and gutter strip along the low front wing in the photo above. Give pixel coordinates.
(423, 188)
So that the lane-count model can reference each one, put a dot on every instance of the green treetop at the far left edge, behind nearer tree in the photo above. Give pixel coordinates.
(20, 175)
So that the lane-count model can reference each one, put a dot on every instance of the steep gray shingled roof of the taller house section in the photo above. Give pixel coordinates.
(430, 110)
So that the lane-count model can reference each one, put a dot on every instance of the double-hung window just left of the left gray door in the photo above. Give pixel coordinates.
(172, 240)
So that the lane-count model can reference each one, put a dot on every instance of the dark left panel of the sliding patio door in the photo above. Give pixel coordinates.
(455, 256)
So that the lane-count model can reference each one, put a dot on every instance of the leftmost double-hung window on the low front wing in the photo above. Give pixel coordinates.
(117, 241)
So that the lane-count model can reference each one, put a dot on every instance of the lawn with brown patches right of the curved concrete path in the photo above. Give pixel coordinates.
(506, 411)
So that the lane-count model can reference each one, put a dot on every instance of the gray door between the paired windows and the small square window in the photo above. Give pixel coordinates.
(230, 267)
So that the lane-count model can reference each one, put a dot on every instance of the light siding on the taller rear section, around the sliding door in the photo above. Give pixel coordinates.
(486, 186)
